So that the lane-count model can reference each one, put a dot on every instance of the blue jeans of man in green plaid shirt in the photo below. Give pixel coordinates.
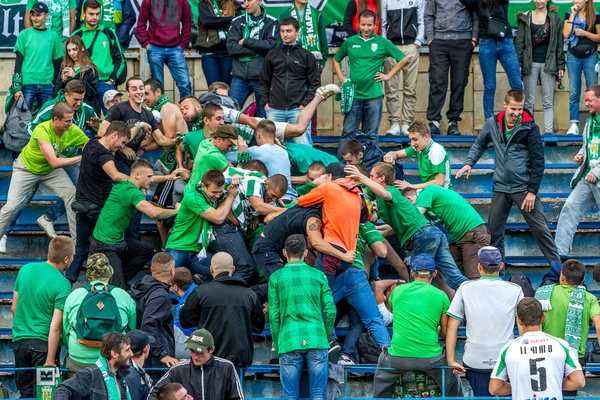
(291, 368)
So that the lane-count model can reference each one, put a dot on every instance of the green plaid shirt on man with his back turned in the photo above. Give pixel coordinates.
(297, 295)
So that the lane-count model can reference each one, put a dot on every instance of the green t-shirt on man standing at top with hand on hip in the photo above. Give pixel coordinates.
(366, 57)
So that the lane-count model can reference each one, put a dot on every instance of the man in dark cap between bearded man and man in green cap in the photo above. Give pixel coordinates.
(138, 381)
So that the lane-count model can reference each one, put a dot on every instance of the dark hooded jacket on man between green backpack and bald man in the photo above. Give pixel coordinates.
(153, 306)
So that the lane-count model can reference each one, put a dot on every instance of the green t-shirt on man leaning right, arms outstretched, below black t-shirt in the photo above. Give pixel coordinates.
(117, 212)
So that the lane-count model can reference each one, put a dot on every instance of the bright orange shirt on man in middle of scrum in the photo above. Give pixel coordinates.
(341, 211)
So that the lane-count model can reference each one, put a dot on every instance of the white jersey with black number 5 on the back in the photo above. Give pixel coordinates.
(535, 365)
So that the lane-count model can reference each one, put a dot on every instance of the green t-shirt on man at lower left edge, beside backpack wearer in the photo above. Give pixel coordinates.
(42, 289)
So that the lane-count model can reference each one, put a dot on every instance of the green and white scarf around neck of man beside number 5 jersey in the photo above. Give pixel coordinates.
(574, 312)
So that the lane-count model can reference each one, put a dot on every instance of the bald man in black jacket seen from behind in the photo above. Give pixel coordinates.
(228, 309)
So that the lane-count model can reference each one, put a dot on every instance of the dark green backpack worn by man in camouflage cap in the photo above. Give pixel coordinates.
(98, 314)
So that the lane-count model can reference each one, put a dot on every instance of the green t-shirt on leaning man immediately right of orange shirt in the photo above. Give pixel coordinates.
(399, 213)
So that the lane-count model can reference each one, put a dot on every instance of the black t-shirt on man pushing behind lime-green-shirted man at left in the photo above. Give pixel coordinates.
(94, 185)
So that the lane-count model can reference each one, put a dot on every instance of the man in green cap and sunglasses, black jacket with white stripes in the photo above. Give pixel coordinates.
(204, 376)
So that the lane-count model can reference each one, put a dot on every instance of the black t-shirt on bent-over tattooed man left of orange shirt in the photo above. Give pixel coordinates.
(290, 222)
